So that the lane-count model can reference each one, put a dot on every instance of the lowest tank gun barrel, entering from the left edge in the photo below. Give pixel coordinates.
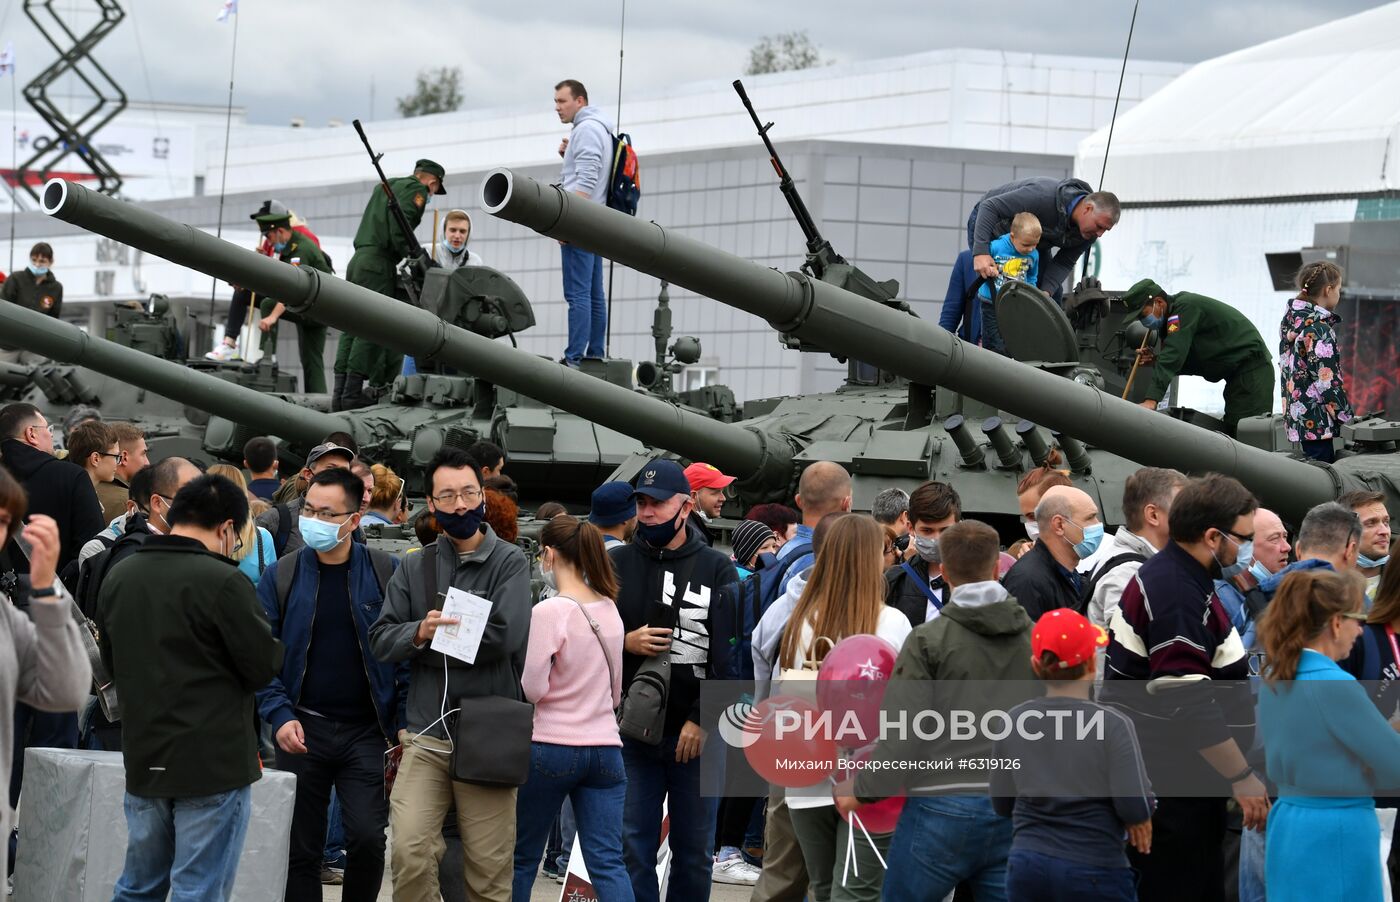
(62, 341)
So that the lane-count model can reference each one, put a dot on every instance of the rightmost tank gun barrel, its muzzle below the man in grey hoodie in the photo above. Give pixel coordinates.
(898, 342)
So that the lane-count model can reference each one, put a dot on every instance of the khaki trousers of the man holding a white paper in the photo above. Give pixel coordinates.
(486, 817)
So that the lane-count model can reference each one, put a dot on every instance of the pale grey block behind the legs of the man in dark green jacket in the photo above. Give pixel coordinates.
(73, 831)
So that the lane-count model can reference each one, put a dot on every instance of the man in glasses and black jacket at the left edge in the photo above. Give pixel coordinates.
(57, 488)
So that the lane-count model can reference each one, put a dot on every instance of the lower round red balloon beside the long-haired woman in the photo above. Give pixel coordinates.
(793, 747)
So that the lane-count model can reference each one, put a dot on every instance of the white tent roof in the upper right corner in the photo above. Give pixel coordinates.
(1312, 114)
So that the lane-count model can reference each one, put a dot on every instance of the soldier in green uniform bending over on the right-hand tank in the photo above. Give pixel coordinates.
(1207, 338)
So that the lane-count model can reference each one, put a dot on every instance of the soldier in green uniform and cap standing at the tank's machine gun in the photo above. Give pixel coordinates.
(379, 247)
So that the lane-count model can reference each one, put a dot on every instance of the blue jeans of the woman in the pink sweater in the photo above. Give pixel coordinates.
(594, 781)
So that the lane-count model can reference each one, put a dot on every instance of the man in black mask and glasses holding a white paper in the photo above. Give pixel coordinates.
(471, 558)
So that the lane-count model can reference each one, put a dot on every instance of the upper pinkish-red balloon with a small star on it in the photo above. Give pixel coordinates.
(852, 687)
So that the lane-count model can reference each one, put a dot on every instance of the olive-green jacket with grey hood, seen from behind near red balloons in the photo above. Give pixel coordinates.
(975, 656)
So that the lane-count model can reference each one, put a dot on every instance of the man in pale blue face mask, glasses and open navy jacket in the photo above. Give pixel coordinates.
(334, 707)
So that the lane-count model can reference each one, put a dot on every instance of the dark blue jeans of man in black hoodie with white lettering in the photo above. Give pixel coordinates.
(654, 777)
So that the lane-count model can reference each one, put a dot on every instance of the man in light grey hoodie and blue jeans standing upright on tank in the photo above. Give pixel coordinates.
(587, 152)
